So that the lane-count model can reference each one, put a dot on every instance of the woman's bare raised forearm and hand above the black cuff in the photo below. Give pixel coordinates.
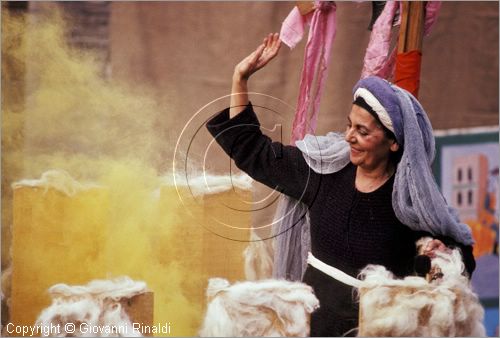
(249, 65)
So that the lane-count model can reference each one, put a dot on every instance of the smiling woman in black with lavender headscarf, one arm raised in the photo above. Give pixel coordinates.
(368, 206)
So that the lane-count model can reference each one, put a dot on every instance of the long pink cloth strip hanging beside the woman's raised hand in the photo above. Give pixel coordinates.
(316, 59)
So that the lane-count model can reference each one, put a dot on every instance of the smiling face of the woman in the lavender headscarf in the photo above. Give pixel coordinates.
(370, 147)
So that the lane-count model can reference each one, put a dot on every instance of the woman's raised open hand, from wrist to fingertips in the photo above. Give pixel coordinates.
(259, 58)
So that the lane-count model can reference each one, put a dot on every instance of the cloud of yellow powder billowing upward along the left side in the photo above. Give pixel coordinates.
(66, 116)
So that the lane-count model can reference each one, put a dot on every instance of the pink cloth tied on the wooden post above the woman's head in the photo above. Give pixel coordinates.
(378, 61)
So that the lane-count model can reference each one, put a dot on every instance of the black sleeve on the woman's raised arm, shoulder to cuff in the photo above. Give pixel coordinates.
(280, 167)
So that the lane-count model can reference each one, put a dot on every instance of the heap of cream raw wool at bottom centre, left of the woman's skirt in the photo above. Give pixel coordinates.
(263, 308)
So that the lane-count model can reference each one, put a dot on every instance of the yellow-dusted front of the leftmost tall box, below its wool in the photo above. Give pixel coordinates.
(54, 240)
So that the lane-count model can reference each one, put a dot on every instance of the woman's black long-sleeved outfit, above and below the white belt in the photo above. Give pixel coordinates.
(349, 228)
